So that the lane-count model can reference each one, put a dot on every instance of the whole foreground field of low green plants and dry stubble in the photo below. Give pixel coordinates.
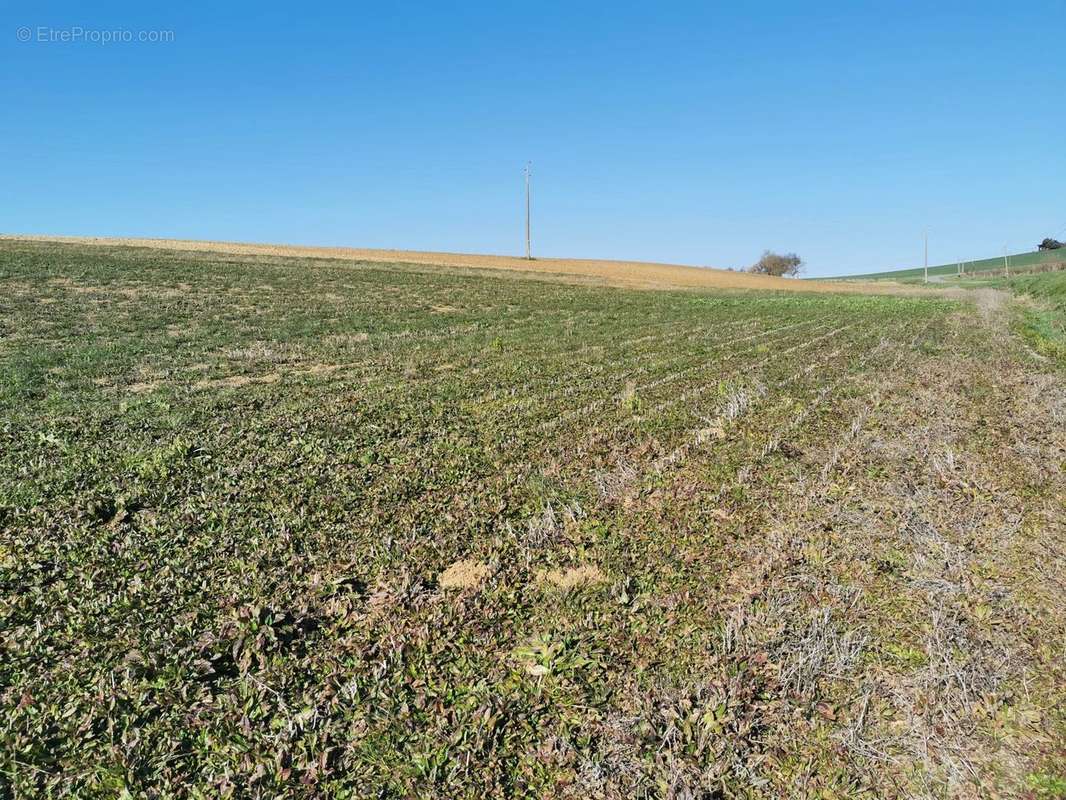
(281, 527)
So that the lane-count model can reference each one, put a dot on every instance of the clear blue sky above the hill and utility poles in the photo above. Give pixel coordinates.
(689, 133)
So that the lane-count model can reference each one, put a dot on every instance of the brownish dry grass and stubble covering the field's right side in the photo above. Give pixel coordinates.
(887, 619)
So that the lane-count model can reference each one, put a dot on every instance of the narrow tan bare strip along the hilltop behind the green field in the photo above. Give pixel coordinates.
(634, 275)
